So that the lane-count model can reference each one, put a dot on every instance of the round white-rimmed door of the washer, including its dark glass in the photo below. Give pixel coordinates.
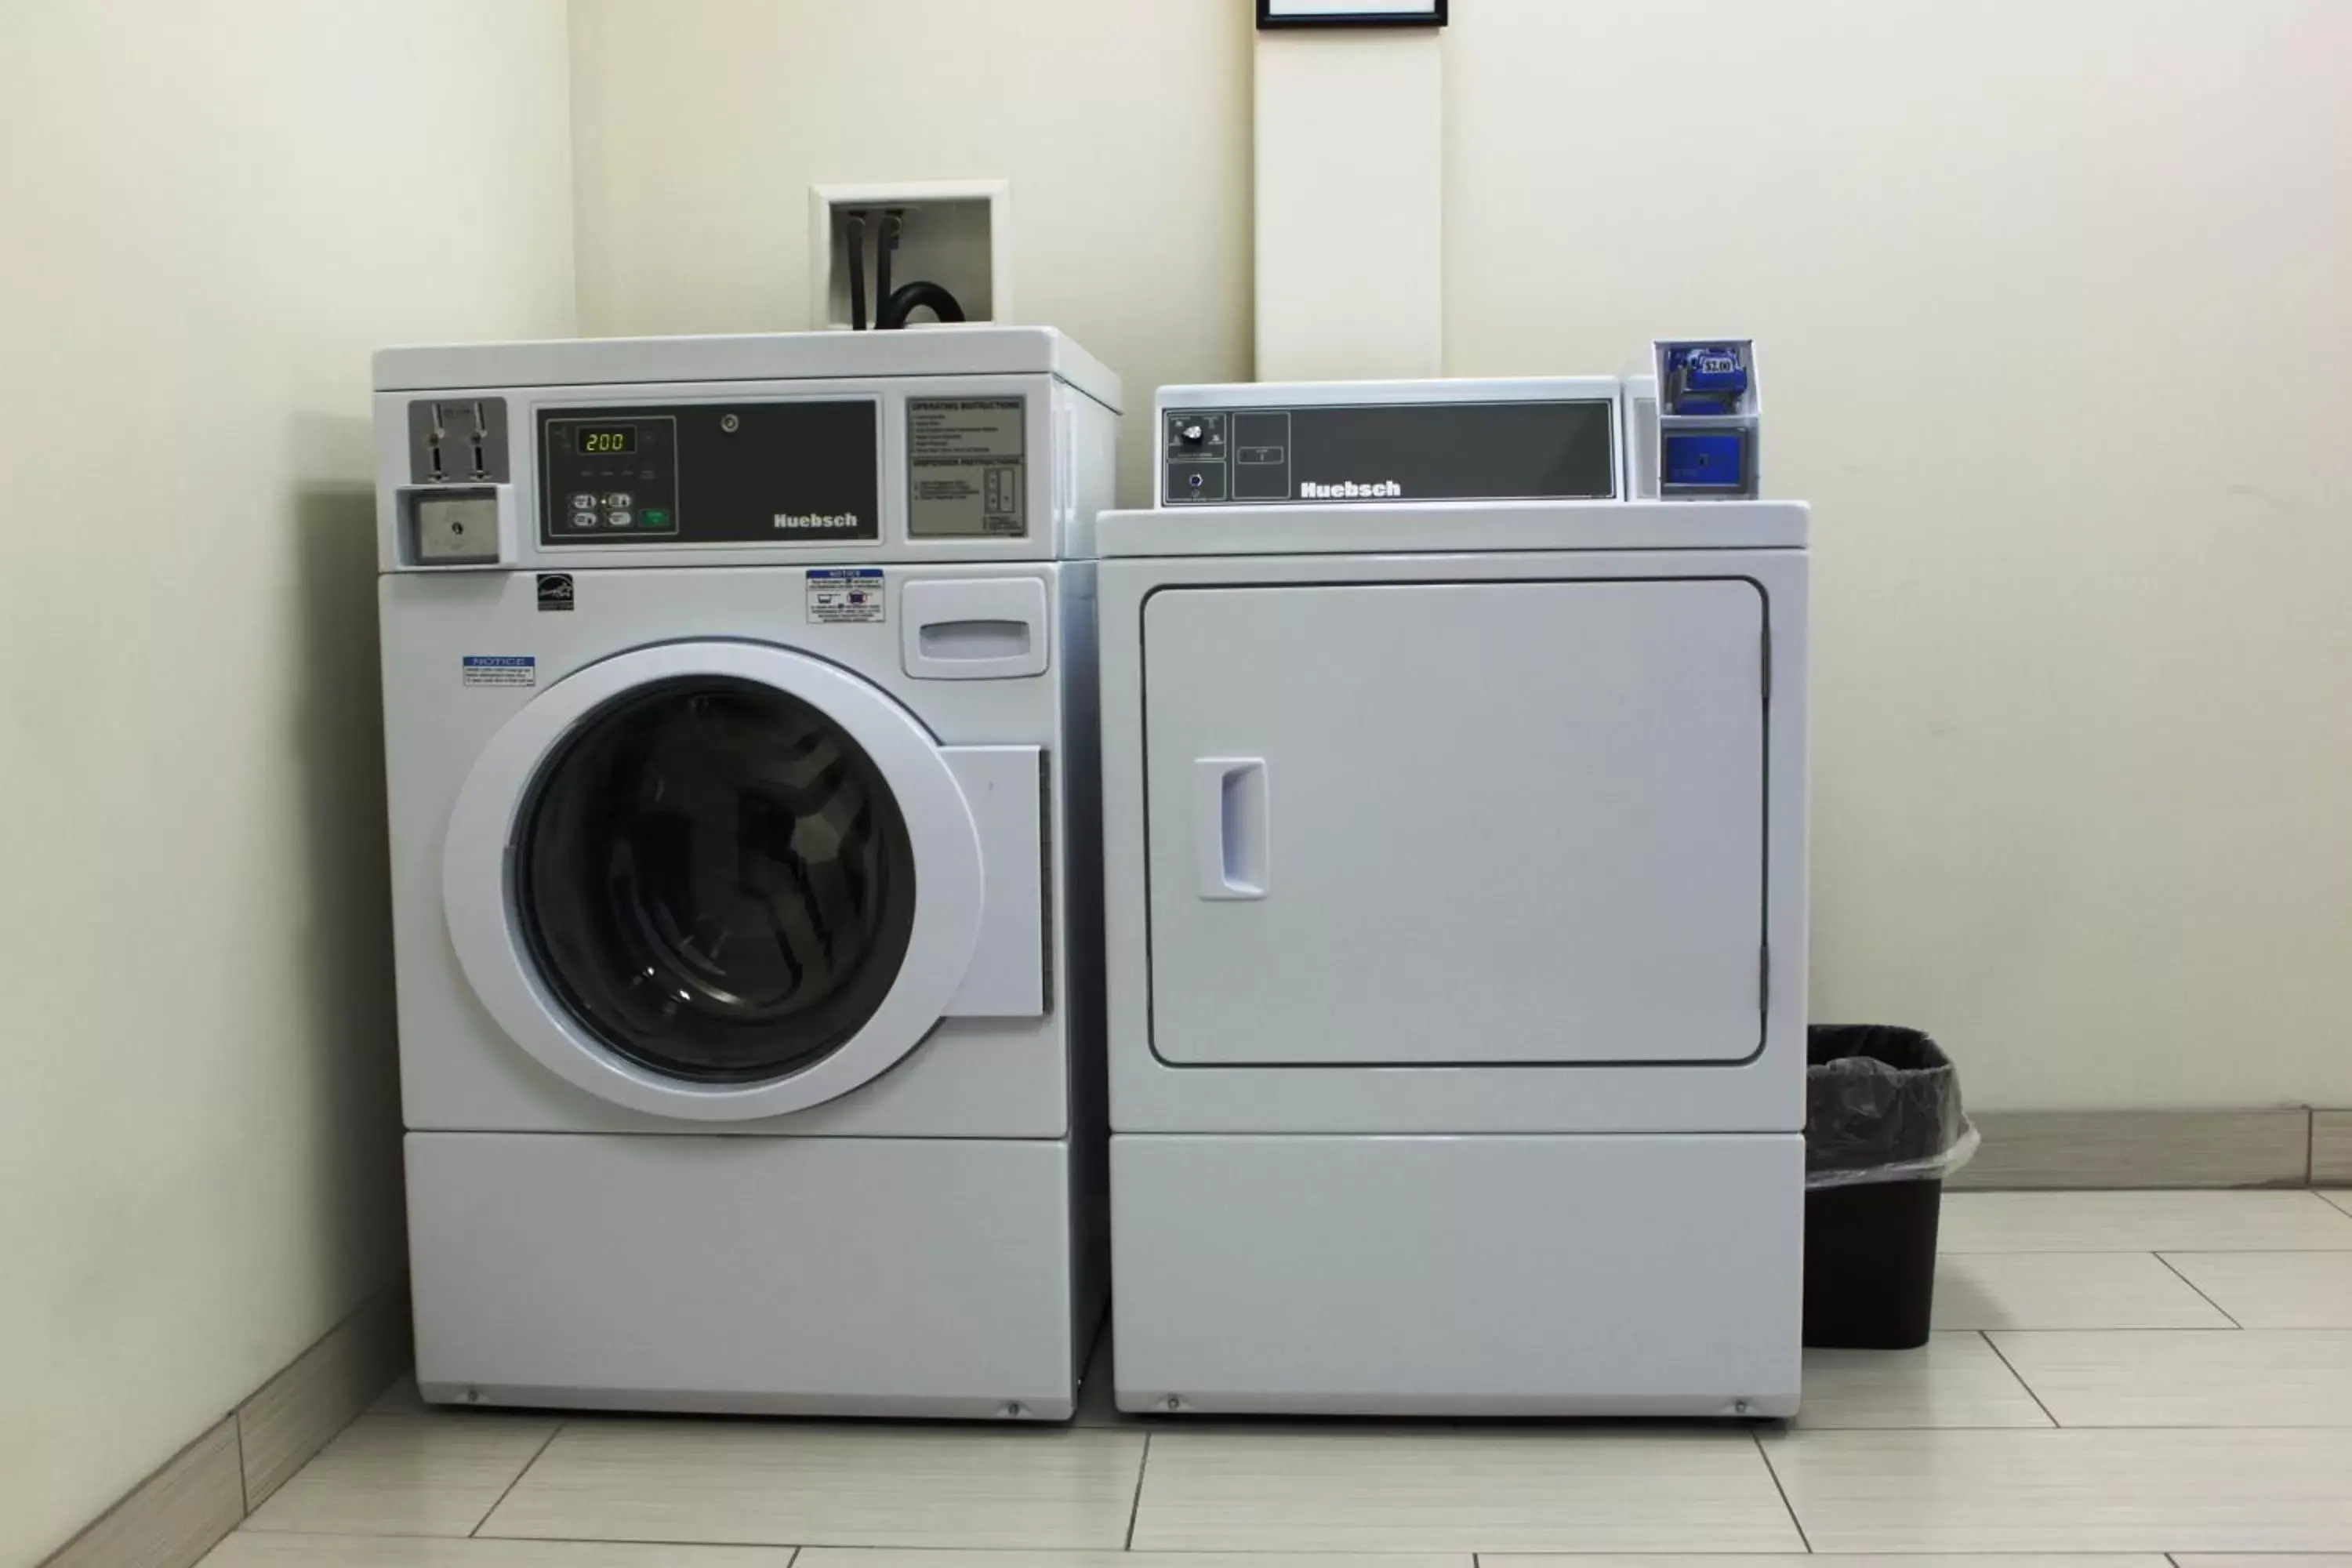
(714, 880)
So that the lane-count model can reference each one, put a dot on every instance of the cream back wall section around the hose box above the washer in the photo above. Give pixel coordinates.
(1123, 128)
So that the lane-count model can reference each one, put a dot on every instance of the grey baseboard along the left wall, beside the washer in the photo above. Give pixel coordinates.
(206, 1492)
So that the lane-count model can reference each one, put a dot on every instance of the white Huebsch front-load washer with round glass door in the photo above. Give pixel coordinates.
(740, 725)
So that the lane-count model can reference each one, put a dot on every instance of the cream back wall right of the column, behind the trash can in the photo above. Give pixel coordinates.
(2045, 293)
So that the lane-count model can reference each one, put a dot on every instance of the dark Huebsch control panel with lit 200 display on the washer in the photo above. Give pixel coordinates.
(709, 474)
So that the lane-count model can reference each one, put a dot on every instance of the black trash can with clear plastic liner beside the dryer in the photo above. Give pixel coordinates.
(1883, 1130)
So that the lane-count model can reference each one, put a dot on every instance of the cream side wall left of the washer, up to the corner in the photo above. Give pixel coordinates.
(213, 215)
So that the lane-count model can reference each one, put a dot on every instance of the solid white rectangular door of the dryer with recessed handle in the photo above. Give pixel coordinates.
(1457, 824)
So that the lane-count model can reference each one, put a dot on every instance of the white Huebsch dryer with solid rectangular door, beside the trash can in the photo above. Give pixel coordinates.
(1455, 871)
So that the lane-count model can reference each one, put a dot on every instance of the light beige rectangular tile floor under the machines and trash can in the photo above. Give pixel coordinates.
(2116, 1376)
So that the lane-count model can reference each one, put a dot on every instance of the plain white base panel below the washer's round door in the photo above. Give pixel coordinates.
(751, 1275)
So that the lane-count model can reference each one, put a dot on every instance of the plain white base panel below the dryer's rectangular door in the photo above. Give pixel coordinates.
(1342, 1275)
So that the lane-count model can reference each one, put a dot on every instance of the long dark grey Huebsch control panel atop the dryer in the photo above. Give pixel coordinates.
(1408, 450)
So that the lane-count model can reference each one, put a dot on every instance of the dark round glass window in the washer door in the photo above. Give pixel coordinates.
(716, 880)
